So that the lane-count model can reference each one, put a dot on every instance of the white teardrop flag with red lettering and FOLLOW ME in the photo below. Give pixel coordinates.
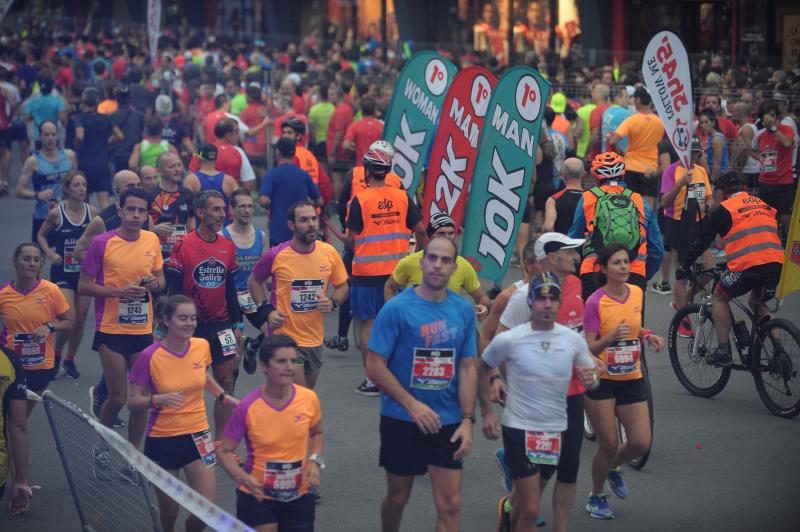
(667, 76)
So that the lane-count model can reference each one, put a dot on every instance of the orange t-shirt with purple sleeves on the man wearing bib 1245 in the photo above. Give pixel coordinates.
(115, 262)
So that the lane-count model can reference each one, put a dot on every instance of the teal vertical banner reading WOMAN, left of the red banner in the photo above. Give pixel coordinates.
(414, 113)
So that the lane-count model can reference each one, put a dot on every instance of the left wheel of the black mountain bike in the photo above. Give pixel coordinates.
(687, 355)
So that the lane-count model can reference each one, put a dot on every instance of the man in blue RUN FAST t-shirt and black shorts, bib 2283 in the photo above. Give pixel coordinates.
(423, 362)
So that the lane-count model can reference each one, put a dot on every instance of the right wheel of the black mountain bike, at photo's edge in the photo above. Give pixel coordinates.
(775, 363)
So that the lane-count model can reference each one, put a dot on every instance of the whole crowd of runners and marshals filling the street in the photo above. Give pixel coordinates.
(144, 180)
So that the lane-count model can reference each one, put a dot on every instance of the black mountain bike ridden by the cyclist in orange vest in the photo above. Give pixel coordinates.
(769, 349)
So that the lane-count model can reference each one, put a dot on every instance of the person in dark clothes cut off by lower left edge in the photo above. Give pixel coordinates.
(14, 433)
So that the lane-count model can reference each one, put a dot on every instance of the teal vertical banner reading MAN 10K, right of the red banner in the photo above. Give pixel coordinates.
(503, 171)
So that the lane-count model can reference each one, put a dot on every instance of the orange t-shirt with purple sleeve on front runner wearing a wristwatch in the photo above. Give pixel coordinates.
(277, 440)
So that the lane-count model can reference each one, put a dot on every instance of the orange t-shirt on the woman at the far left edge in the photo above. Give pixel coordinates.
(23, 313)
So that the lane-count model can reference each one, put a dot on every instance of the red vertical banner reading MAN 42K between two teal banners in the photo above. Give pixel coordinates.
(455, 147)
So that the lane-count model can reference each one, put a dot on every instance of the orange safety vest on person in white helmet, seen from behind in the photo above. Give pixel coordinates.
(384, 239)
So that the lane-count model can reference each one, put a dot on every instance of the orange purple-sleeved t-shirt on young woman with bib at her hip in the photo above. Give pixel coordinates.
(164, 371)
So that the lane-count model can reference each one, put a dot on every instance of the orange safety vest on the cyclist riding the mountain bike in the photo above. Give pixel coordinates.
(753, 237)
